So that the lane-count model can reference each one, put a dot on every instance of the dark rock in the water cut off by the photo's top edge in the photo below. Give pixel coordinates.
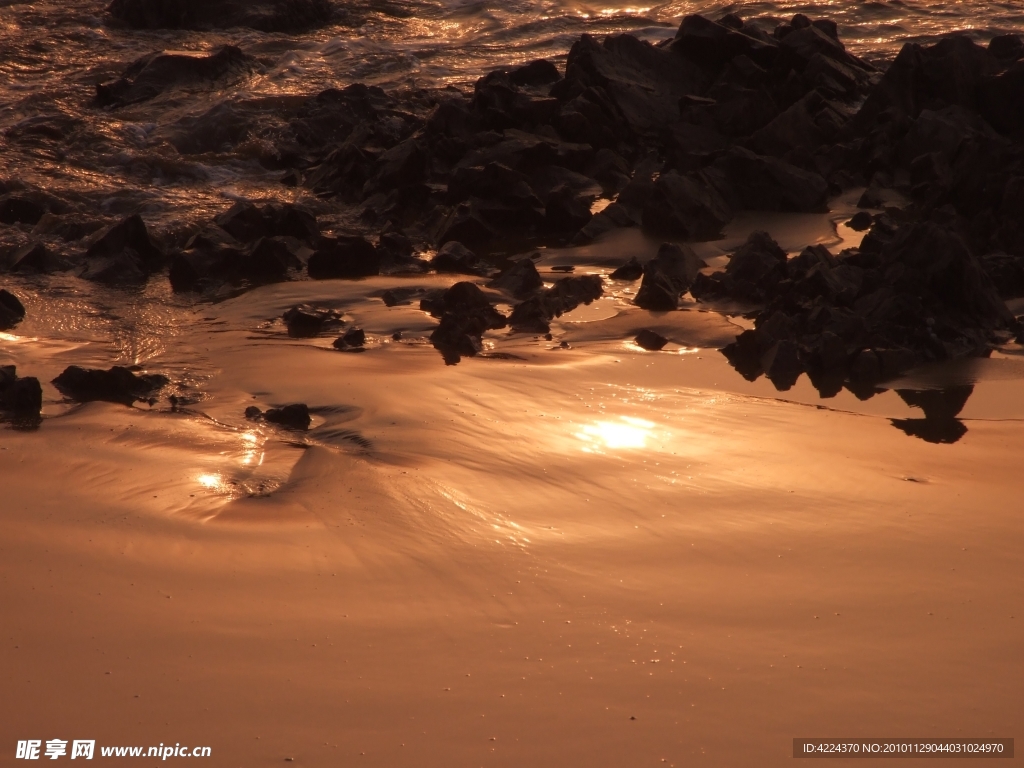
(268, 16)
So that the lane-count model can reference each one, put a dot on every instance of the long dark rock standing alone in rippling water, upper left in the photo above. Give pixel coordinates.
(156, 73)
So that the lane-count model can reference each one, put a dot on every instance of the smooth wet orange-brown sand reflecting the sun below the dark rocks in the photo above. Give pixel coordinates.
(502, 563)
